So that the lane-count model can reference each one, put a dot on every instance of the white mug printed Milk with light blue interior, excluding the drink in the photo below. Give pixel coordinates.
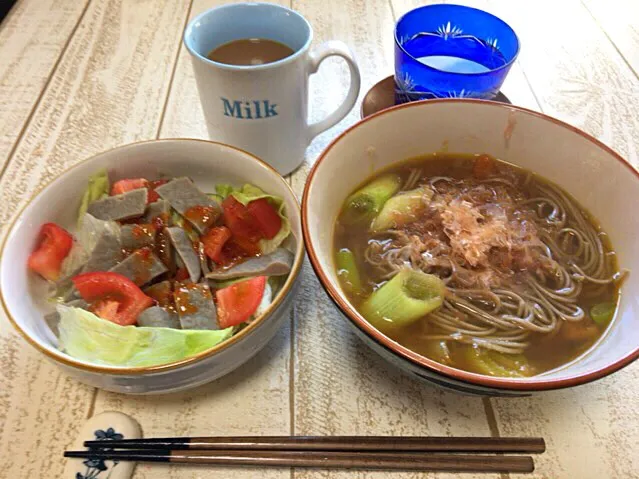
(263, 109)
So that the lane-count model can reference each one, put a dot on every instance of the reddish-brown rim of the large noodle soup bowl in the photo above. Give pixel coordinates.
(528, 384)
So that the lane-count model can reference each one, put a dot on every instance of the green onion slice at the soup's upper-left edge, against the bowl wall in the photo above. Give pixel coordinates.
(366, 202)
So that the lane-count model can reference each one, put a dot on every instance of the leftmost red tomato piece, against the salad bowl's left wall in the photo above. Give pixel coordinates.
(52, 246)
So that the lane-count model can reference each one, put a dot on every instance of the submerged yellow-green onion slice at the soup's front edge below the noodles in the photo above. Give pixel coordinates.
(494, 363)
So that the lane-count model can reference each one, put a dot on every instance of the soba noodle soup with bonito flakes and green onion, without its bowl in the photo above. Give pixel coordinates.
(477, 264)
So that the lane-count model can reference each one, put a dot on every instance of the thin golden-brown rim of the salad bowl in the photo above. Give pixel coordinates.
(58, 356)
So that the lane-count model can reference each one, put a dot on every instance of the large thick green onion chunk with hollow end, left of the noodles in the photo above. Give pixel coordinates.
(407, 297)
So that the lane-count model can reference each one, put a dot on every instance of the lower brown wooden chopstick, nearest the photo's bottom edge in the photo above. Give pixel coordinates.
(324, 459)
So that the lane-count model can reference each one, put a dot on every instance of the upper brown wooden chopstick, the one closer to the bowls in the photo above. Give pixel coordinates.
(334, 443)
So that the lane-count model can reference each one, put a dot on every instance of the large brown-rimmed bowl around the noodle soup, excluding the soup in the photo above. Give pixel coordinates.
(597, 177)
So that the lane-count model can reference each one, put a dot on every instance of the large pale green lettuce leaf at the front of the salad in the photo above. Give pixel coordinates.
(85, 336)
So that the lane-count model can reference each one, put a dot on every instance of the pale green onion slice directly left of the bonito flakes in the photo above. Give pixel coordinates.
(402, 208)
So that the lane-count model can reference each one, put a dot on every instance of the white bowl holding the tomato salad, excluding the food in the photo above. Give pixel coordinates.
(23, 294)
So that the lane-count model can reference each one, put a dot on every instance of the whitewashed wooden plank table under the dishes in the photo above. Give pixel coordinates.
(81, 76)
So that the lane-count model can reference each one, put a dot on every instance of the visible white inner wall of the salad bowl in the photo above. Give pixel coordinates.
(207, 163)
